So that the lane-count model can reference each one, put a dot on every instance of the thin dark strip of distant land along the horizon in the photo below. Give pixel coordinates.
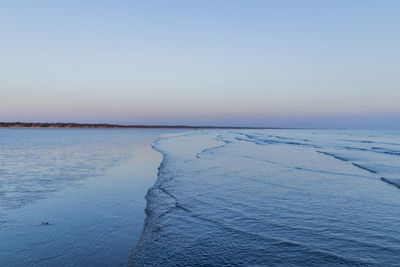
(112, 126)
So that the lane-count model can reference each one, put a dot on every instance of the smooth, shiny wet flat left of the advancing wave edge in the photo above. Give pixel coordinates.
(71, 197)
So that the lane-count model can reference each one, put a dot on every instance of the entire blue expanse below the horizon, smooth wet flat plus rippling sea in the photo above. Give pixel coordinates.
(240, 197)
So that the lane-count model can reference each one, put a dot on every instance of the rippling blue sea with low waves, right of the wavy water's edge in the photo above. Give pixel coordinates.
(274, 197)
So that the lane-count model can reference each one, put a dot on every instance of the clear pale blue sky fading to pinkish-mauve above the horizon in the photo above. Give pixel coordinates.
(328, 64)
